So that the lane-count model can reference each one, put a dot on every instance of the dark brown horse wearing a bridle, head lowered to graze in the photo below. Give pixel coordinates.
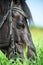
(15, 35)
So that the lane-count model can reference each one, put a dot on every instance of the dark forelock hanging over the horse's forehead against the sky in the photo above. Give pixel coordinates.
(26, 9)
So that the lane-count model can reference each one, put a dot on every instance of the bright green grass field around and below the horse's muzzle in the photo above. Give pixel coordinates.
(37, 36)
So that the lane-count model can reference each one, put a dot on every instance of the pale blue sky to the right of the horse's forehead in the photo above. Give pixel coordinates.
(36, 8)
